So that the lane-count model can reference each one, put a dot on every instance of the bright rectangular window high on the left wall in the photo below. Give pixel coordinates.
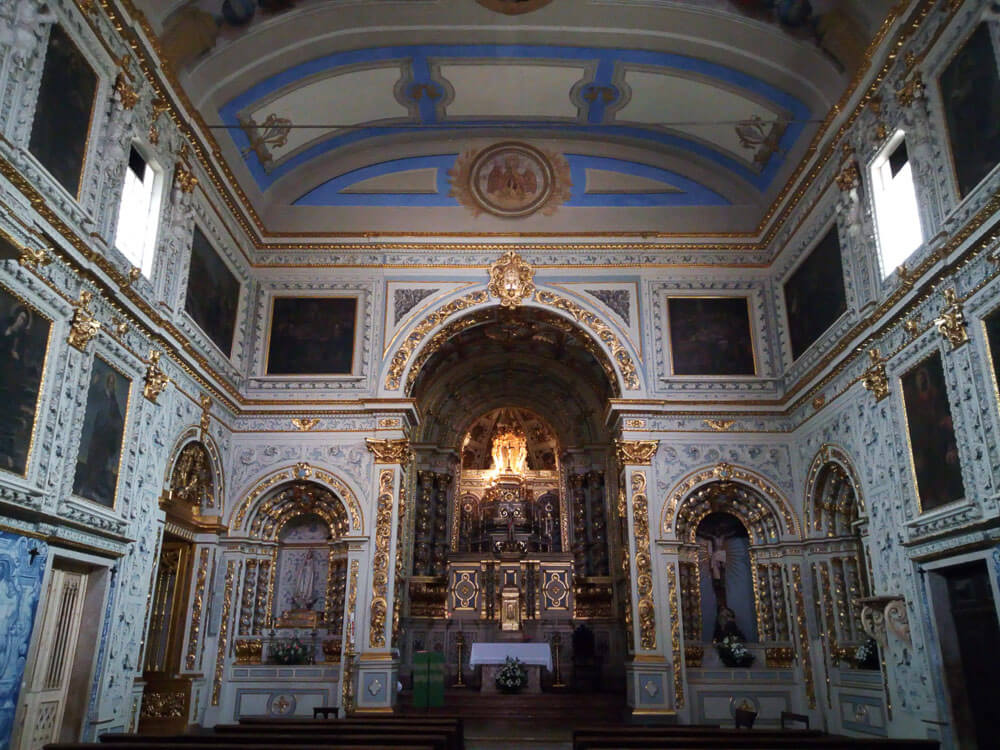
(138, 214)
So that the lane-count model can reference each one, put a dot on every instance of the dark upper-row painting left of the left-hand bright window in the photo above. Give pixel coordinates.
(61, 128)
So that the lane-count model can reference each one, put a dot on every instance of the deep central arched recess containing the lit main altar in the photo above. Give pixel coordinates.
(511, 533)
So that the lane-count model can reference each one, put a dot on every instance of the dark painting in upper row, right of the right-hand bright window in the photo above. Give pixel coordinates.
(970, 93)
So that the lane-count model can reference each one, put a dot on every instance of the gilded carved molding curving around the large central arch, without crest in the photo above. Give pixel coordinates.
(435, 328)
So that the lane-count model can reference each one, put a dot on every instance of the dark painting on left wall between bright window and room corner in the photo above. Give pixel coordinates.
(213, 293)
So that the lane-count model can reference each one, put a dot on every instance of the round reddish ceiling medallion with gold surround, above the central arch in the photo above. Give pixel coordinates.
(510, 180)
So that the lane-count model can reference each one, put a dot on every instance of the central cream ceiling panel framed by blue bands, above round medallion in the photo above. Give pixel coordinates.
(515, 90)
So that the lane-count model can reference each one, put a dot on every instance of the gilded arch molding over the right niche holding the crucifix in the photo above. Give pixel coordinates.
(753, 499)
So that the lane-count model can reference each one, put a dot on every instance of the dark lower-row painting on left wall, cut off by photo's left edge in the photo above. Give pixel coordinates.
(24, 342)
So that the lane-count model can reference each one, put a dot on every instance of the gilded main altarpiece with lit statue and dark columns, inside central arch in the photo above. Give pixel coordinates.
(510, 571)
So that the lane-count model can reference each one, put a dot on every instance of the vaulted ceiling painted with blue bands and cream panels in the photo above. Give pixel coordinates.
(667, 116)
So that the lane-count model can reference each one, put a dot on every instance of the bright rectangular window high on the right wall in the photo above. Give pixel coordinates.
(896, 213)
